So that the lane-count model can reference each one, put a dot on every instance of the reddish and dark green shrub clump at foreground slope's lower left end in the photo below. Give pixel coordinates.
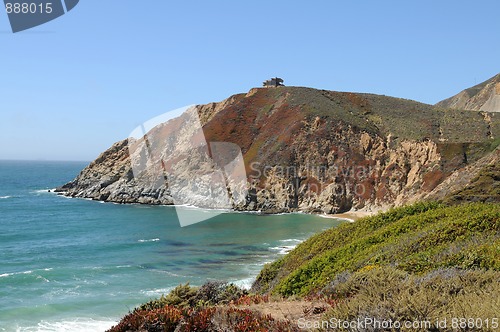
(188, 309)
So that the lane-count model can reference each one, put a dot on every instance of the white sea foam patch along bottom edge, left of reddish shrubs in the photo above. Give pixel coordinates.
(74, 325)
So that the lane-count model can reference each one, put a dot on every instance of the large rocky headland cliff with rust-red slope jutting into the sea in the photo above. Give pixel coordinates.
(306, 150)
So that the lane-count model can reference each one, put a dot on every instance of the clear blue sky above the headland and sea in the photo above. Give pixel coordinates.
(72, 87)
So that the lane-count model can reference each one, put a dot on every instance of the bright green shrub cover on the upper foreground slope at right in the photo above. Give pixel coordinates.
(417, 239)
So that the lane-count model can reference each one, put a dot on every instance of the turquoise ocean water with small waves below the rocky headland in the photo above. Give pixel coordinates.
(80, 265)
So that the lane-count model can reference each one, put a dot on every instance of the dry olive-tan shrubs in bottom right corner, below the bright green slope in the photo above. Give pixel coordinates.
(385, 293)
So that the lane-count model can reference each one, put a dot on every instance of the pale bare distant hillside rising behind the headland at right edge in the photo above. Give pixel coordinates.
(482, 97)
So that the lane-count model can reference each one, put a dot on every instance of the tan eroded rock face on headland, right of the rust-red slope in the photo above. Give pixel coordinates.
(352, 170)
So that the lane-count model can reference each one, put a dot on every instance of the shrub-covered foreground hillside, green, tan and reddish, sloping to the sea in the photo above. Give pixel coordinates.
(422, 263)
